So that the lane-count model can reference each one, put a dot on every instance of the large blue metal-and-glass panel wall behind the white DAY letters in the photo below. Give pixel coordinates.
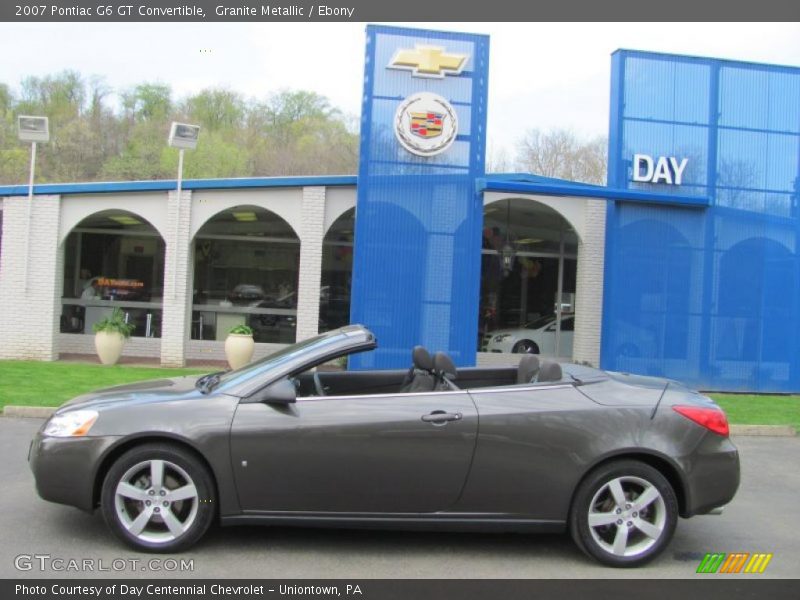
(711, 297)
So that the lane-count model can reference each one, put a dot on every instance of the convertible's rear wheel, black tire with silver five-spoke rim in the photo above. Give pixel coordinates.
(657, 518)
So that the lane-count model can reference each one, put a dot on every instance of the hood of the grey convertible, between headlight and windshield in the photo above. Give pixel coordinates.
(155, 390)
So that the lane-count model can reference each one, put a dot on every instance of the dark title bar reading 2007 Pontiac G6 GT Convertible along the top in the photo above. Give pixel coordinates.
(106, 11)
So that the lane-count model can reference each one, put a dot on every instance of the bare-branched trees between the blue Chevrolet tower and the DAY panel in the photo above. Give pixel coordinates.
(560, 153)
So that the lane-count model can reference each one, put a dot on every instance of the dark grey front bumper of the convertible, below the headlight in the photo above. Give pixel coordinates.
(65, 468)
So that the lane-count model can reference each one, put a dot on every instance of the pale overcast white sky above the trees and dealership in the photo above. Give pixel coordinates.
(542, 75)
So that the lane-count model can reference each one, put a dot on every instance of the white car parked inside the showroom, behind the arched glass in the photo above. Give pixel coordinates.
(536, 337)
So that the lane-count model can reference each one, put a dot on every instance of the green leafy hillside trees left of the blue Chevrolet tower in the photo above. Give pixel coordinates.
(287, 133)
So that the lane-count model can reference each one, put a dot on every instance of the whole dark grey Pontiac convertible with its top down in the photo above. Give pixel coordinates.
(614, 459)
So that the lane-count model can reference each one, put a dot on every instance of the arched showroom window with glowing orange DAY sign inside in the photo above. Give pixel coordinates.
(113, 258)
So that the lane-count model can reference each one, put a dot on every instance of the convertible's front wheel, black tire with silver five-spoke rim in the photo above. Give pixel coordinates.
(133, 473)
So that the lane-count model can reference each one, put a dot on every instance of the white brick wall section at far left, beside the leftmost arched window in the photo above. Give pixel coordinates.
(30, 284)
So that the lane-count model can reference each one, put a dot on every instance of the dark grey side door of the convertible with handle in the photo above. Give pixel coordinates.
(387, 453)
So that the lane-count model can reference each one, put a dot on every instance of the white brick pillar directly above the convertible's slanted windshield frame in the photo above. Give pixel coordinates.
(312, 232)
